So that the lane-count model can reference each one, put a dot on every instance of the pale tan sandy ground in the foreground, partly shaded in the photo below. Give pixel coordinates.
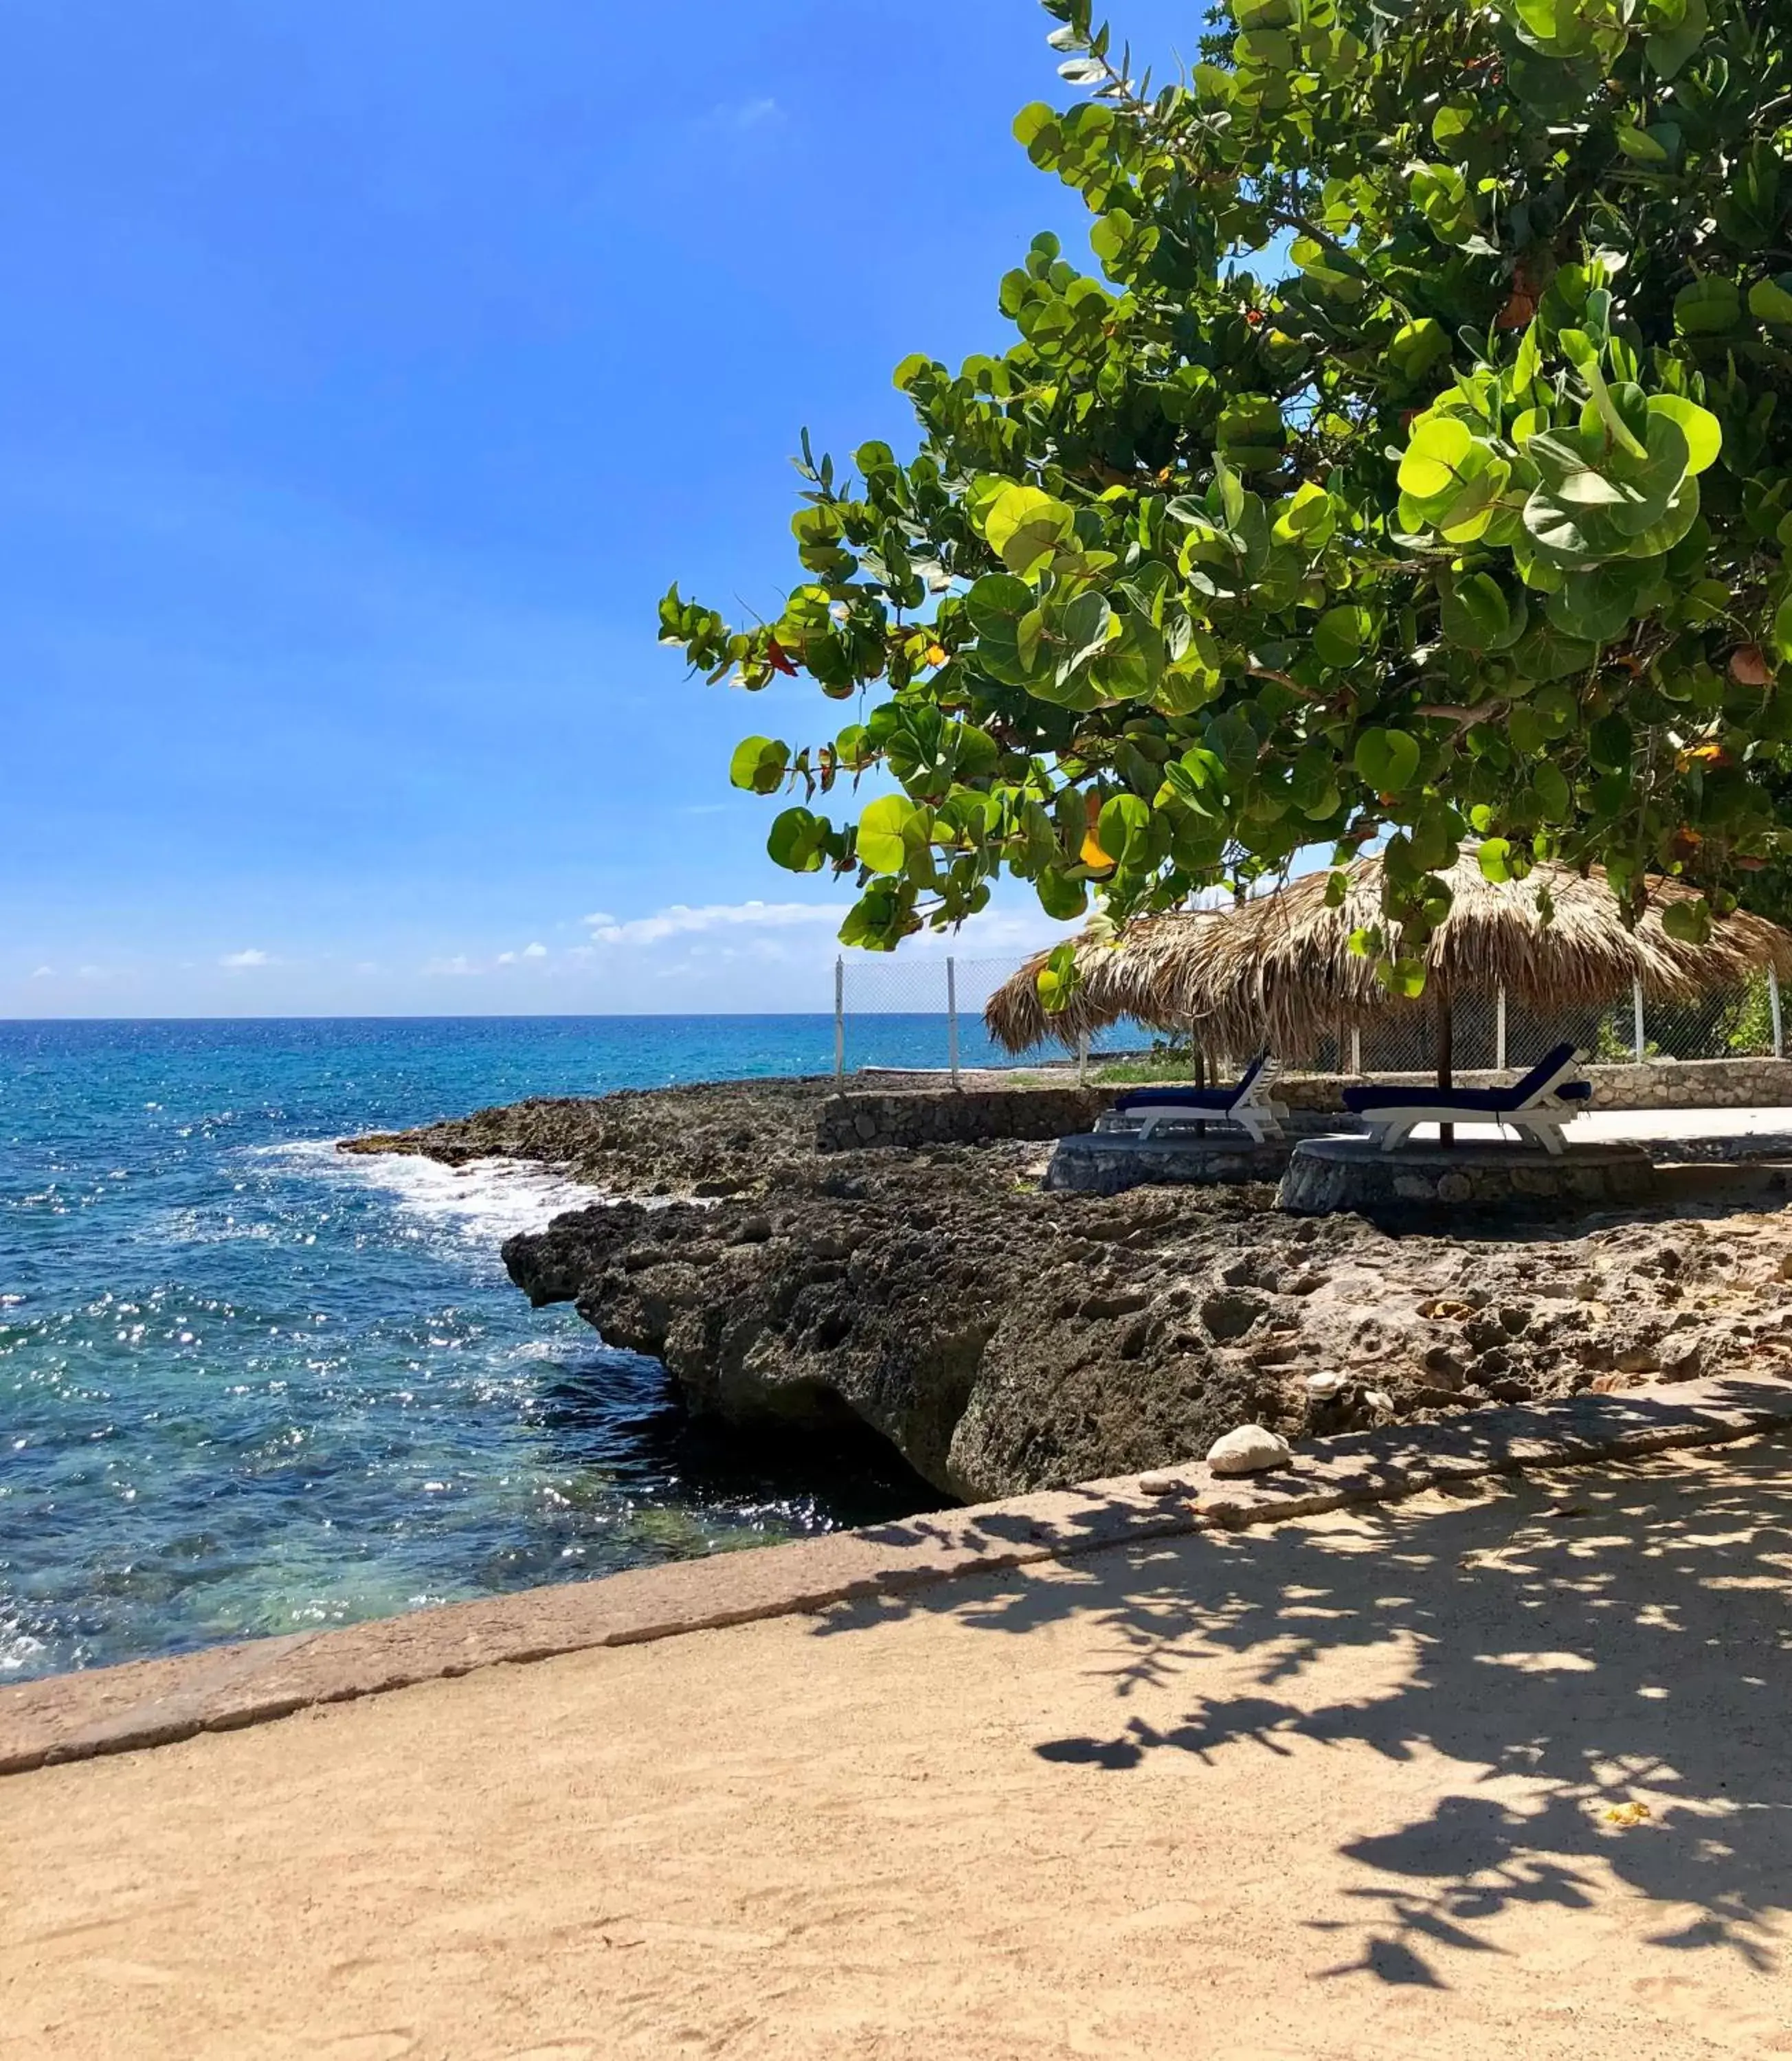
(1331, 1790)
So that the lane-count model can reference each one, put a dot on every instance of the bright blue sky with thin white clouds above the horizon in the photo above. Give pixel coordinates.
(372, 372)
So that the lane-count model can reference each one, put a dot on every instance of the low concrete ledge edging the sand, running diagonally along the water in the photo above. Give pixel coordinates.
(154, 1703)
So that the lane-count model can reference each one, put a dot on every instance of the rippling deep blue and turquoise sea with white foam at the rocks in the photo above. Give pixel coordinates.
(257, 1386)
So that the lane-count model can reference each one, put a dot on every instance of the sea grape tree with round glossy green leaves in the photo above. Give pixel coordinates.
(1416, 471)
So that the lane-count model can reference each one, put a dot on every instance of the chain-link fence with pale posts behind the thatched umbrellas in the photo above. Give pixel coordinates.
(921, 1013)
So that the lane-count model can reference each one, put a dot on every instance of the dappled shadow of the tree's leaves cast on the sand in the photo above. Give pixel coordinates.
(1610, 1635)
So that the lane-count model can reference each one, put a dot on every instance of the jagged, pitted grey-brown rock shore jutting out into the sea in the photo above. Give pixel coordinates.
(1005, 1339)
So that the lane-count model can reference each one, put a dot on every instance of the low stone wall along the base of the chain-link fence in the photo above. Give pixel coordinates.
(968, 1116)
